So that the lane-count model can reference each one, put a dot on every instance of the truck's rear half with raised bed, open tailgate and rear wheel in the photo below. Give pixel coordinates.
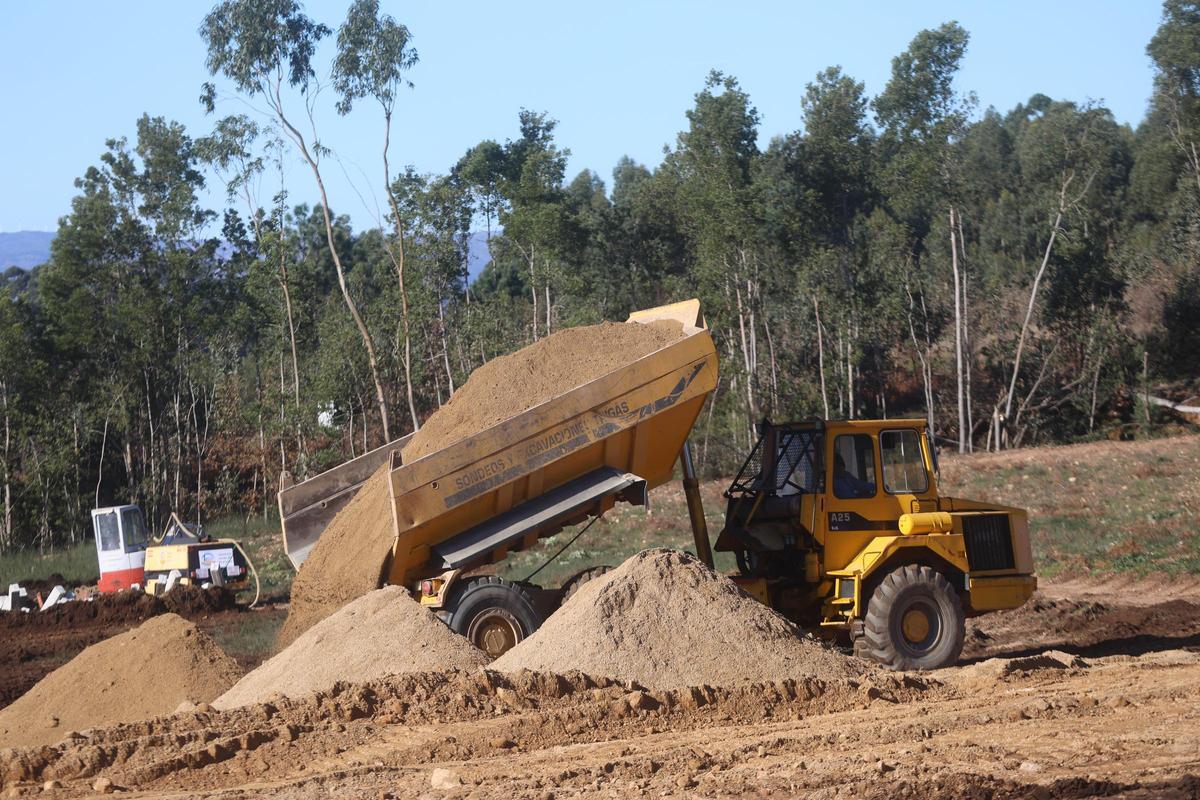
(478, 500)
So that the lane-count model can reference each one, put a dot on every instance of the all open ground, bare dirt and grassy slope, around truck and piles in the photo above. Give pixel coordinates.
(1090, 690)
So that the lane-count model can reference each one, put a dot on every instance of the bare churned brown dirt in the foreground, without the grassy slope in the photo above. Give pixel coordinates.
(1112, 711)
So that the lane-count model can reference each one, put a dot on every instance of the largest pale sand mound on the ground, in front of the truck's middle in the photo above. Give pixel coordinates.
(665, 621)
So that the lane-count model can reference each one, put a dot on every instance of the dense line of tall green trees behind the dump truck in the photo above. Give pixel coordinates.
(1015, 278)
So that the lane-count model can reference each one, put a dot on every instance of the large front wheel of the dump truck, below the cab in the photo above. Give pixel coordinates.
(914, 622)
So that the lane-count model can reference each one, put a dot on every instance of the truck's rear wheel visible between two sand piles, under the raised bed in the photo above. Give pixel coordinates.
(494, 615)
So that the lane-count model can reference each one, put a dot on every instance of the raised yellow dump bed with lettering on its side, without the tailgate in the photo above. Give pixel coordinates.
(557, 464)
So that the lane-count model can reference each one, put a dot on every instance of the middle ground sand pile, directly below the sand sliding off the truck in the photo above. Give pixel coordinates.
(382, 634)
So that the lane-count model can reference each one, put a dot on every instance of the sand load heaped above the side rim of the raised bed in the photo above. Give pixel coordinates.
(512, 384)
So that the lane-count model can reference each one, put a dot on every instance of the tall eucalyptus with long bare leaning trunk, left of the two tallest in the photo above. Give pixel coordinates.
(261, 46)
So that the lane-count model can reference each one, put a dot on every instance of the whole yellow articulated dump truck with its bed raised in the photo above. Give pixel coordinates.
(839, 526)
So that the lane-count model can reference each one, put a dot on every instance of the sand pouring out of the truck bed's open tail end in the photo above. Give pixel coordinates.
(347, 562)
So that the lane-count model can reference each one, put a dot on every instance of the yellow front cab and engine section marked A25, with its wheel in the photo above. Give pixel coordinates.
(841, 526)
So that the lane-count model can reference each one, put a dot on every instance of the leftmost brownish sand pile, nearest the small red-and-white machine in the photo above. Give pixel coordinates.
(140, 675)
